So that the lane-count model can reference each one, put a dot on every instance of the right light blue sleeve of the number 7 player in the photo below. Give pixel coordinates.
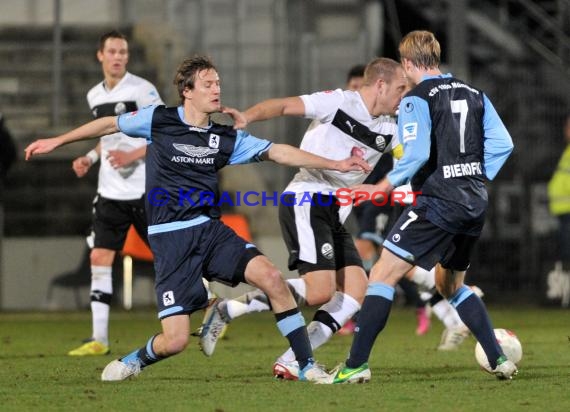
(497, 144)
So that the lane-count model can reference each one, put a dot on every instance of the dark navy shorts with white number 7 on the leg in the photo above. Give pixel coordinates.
(419, 242)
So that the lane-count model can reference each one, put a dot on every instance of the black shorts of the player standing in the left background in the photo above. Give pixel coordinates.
(112, 219)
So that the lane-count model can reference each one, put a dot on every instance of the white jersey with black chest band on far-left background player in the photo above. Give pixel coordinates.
(130, 94)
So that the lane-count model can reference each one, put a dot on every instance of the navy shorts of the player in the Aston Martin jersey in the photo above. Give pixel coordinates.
(182, 257)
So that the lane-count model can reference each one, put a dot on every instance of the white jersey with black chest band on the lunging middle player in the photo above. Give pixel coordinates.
(341, 126)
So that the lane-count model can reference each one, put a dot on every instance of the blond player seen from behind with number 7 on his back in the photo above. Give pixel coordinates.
(454, 140)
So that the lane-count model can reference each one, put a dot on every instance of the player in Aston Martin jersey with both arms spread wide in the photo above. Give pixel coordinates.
(184, 153)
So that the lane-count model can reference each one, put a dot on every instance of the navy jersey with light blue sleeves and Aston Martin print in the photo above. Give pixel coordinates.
(182, 163)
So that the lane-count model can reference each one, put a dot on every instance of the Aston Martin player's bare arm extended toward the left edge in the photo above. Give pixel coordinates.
(96, 128)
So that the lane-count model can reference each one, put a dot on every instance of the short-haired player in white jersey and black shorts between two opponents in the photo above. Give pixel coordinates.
(320, 248)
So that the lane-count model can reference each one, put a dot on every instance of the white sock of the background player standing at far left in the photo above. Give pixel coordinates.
(101, 281)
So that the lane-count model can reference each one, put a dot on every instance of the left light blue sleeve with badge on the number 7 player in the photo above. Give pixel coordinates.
(414, 127)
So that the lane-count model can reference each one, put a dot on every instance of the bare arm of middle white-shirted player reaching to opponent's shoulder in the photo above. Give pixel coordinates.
(267, 109)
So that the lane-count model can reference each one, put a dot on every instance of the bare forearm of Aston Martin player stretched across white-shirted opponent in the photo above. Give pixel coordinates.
(291, 156)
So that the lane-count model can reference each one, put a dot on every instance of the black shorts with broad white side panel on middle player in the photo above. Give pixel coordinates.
(314, 236)
